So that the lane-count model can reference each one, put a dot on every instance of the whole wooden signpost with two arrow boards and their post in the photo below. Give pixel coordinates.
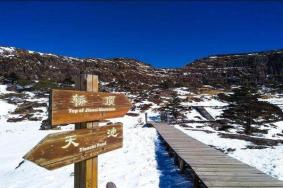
(88, 140)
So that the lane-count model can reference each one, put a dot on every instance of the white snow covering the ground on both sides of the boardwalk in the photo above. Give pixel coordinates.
(142, 162)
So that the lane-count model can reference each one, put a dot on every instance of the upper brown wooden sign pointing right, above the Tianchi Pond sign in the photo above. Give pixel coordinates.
(69, 106)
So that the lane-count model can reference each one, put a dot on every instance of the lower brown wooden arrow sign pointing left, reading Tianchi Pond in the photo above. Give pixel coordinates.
(60, 149)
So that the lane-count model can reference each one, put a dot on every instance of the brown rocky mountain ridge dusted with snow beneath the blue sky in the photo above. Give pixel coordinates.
(131, 75)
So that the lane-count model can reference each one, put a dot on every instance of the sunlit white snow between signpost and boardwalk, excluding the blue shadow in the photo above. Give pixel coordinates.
(134, 165)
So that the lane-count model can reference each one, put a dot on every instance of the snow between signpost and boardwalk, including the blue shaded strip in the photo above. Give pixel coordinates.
(138, 164)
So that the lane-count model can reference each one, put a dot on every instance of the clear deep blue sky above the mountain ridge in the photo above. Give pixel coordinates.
(164, 34)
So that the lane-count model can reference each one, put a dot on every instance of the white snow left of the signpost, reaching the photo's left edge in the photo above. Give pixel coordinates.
(16, 139)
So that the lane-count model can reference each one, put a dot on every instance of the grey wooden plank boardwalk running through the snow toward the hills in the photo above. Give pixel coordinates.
(210, 167)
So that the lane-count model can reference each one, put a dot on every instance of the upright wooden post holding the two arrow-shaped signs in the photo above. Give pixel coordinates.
(86, 171)
